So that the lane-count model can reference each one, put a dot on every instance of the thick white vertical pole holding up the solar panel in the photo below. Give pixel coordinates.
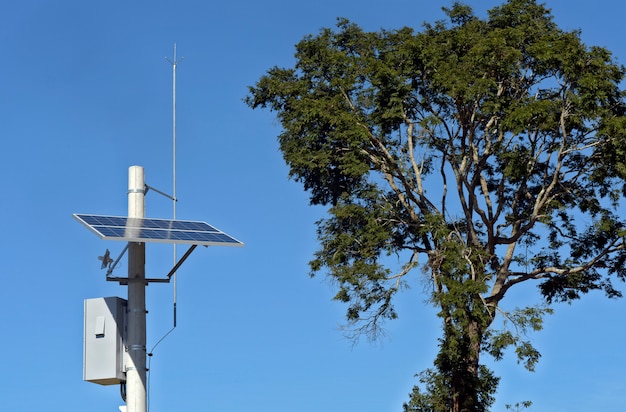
(136, 399)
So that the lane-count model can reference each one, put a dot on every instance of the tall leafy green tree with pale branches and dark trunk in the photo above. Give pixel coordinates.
(487, 152)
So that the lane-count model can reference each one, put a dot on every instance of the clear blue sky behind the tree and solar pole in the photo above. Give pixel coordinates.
(86, 93)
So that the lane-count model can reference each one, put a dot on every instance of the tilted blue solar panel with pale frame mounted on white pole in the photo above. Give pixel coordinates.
(156, 230)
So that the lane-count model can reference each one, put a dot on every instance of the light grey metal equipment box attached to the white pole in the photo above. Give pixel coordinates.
(105, 334)
